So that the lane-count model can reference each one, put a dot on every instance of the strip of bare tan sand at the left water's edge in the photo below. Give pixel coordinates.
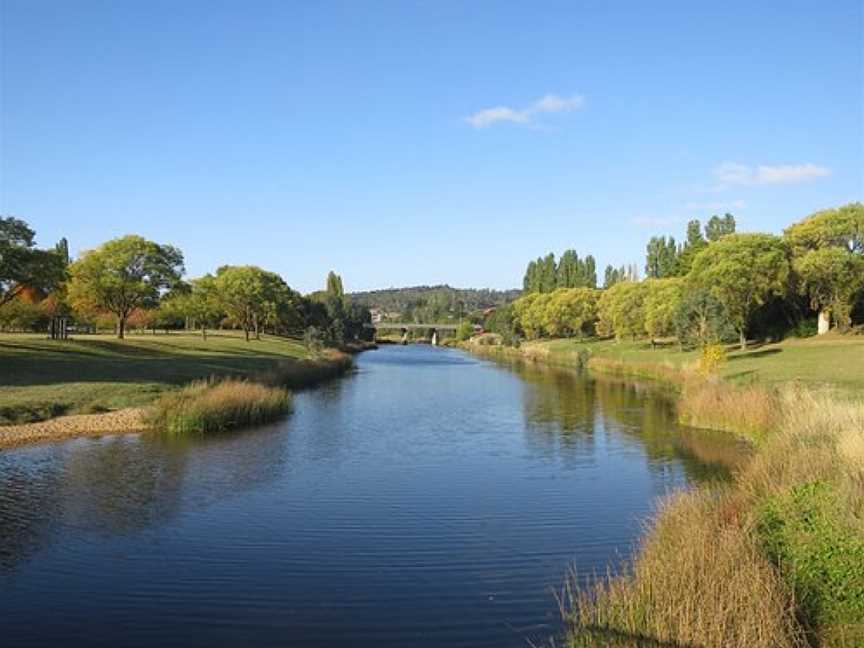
(65, 427)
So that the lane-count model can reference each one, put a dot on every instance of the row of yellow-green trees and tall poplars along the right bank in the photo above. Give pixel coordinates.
(710, 288)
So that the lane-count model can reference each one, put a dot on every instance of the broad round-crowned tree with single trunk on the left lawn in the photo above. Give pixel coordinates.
(122, 275)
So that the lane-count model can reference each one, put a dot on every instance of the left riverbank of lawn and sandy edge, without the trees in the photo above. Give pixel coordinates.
(97, 384)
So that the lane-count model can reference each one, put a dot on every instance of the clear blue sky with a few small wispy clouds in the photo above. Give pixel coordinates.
(406, 143)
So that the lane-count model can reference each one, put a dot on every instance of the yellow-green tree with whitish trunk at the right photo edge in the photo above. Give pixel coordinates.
(831, 277)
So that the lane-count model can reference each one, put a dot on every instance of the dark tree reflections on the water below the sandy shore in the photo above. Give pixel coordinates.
(122, 485)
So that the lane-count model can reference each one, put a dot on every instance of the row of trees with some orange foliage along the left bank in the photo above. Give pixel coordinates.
(131, 281)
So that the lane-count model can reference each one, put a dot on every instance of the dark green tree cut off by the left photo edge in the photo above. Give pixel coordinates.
(22, 265)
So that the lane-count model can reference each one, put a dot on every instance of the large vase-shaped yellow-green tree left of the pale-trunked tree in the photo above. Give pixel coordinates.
(742, 271)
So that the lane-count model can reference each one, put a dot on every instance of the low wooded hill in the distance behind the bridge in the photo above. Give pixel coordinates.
(428, 303)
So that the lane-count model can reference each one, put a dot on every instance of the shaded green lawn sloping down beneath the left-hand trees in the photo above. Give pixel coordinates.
(40, 378)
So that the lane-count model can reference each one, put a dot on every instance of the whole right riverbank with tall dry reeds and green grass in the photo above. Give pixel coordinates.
(775, 557)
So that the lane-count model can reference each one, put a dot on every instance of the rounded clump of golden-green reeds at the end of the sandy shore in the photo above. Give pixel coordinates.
(218, 405)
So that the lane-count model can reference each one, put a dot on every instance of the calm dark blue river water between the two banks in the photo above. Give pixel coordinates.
(429, 499)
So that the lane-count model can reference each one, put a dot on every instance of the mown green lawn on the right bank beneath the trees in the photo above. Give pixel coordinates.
(832, 360)
